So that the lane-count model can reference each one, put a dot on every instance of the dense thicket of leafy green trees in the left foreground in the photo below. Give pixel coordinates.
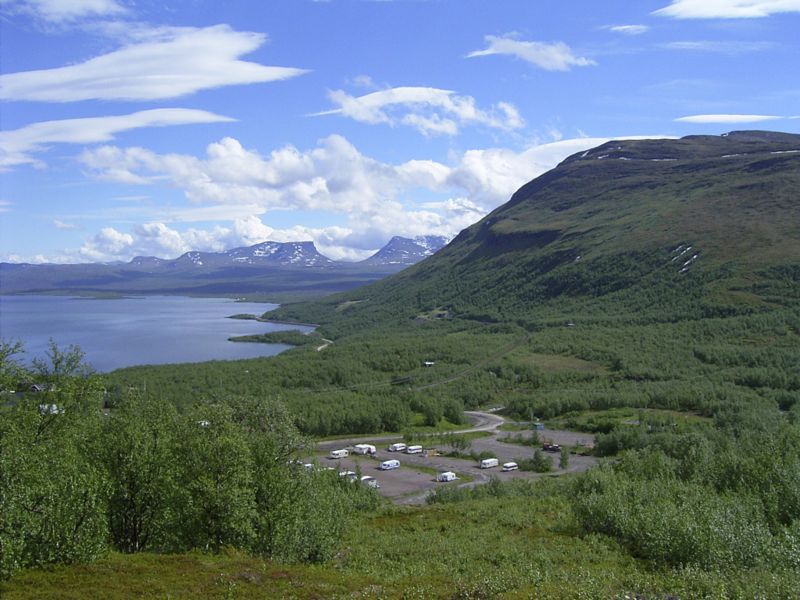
(75, 482)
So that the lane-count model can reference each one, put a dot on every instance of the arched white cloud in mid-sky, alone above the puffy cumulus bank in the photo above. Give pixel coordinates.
(429, 110)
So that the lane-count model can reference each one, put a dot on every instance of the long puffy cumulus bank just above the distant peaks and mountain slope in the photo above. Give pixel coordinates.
(239, 186)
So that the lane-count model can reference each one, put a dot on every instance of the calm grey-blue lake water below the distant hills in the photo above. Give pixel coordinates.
(136, 331)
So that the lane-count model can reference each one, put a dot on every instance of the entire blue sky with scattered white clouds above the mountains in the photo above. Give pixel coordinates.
(135, 127)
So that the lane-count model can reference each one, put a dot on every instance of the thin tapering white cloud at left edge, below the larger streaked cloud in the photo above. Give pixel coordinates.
(17, 146)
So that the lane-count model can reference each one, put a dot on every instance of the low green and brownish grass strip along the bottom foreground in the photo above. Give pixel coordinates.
(521, 544)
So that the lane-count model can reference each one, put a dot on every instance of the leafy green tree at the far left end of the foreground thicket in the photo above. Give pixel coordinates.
(52, 489)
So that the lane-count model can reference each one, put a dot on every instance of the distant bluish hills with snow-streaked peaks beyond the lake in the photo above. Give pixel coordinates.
(269, 268)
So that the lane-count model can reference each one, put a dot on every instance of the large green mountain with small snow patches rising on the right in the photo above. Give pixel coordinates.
(703, 225)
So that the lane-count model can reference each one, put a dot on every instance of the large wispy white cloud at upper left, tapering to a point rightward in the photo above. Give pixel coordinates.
(171, 62)
